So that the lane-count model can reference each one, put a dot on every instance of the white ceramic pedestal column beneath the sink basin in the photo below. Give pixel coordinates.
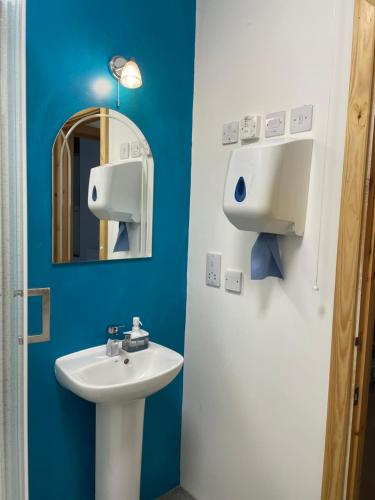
(119, 430)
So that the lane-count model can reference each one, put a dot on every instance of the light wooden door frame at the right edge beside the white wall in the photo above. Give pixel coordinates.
(354, 288)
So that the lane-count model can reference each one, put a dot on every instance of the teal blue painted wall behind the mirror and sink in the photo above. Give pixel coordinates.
(68, 45)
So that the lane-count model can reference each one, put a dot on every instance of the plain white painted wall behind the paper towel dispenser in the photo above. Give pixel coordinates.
(256, 373)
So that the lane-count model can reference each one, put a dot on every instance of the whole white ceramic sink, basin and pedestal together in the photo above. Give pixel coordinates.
(118, 386)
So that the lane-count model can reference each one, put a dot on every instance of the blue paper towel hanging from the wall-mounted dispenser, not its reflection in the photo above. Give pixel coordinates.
(265, 258)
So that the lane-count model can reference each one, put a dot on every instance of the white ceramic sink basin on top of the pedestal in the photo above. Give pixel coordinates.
(94, 376)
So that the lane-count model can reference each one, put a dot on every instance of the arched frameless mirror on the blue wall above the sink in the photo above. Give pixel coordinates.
(102, 170)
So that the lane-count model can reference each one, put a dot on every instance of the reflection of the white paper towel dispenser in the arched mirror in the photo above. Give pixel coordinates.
(115, 191)
